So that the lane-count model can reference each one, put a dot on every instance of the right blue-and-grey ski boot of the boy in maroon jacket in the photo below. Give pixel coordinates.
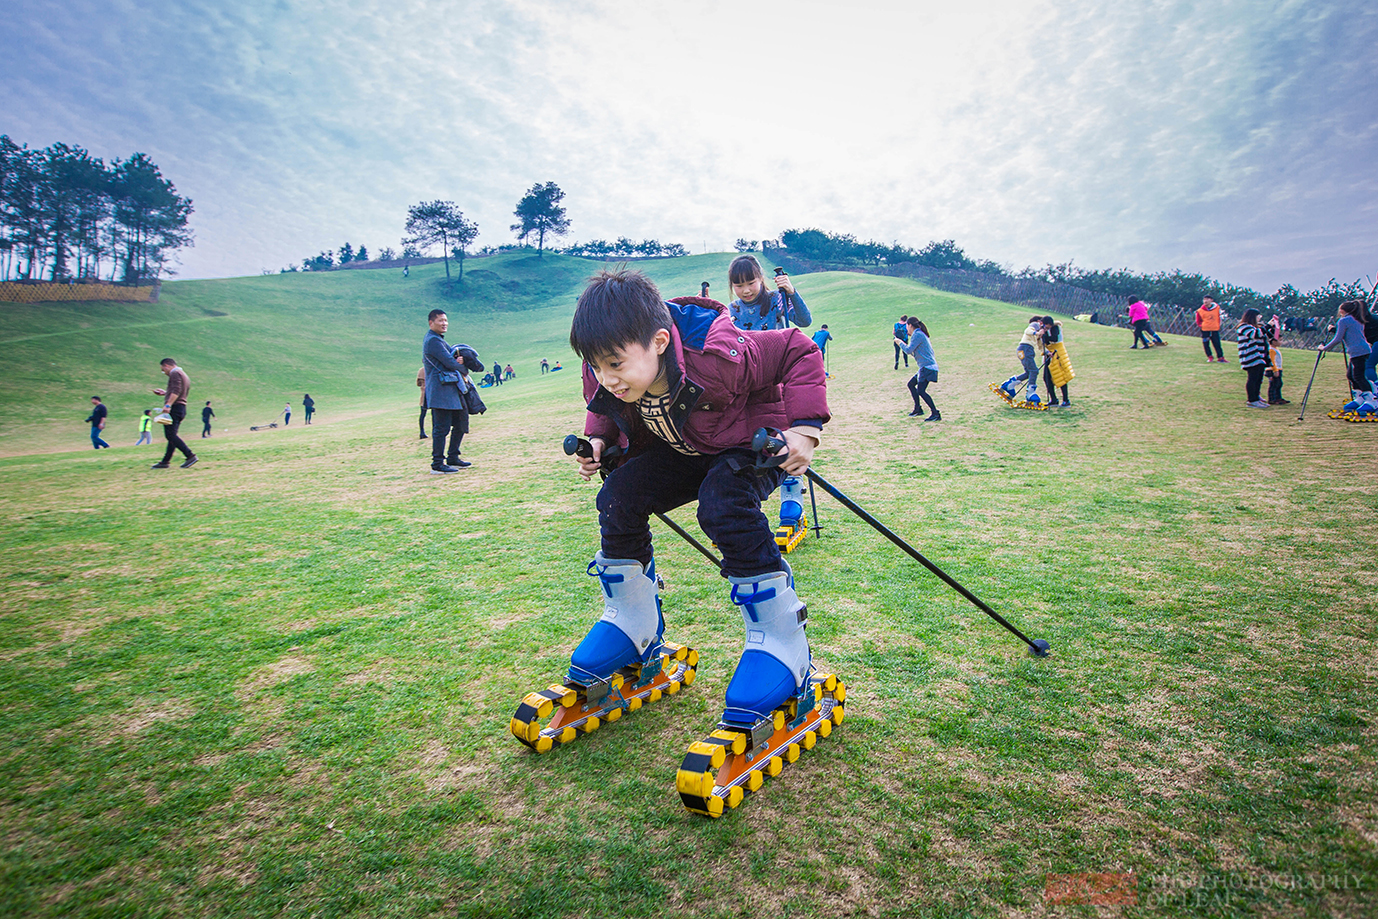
(775, 663)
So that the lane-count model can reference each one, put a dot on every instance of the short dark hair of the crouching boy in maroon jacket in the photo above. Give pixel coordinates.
(615, 311)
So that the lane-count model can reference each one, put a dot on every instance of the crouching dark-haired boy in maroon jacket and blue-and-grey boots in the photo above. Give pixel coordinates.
(683, 392)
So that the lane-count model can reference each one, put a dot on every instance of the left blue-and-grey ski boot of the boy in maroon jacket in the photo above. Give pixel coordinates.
(632, 626)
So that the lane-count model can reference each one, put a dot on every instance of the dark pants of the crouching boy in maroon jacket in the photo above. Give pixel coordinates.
(730, 491)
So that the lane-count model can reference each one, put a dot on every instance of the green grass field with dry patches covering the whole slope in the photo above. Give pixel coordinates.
(280, 683)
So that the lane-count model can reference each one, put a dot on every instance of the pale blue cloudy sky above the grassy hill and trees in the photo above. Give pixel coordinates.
(1237, 138)
